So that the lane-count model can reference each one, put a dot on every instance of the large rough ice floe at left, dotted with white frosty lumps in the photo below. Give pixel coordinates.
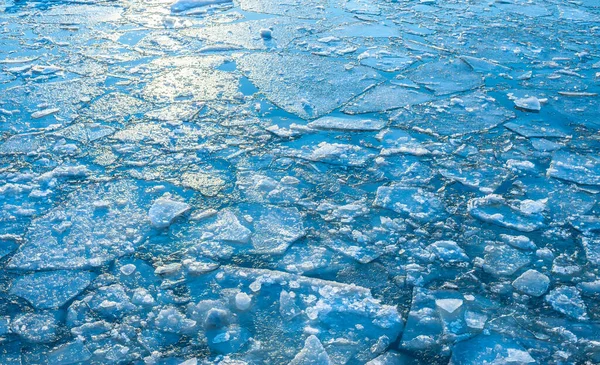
(95, 225)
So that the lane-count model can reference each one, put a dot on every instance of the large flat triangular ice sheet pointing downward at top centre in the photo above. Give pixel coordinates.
(308, 86)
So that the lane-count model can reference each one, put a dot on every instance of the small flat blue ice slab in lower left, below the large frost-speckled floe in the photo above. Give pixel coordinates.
(54, 289)
